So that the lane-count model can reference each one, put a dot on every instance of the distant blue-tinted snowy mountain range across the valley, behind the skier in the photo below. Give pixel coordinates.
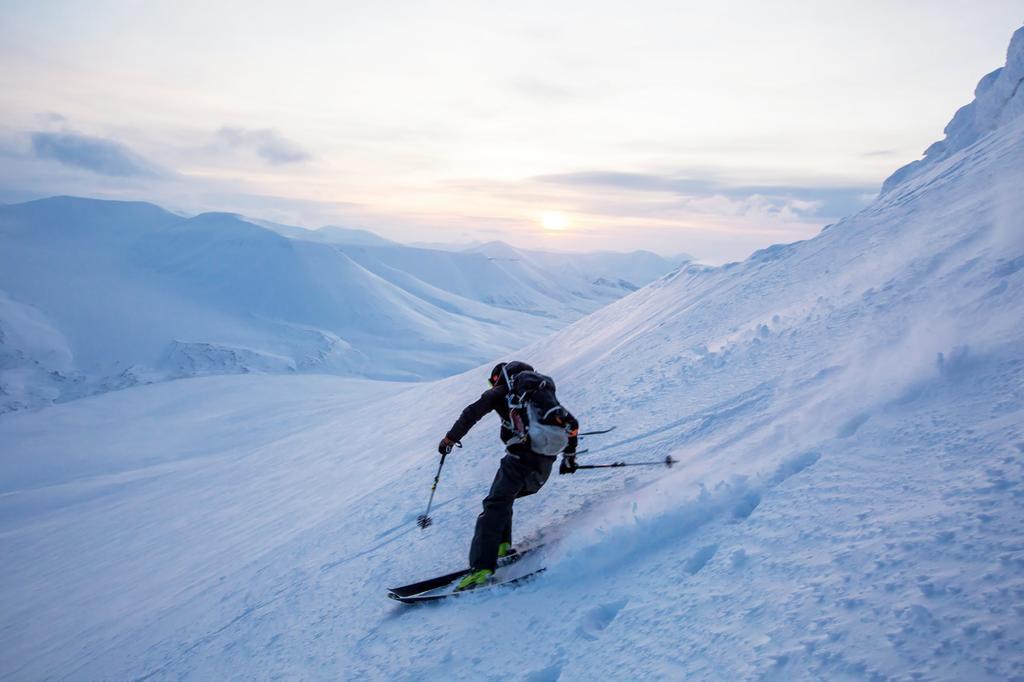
(103, 295)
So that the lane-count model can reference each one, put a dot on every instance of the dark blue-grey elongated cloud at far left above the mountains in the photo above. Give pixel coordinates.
(99, 155)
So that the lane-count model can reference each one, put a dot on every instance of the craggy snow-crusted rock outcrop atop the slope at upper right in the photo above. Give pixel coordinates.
(999, 100)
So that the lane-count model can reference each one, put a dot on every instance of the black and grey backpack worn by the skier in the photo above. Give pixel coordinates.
(536, 415)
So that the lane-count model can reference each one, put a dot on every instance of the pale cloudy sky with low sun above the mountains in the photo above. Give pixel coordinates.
(712, 130)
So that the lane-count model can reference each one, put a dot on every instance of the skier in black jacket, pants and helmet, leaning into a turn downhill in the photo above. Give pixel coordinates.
(523, 473)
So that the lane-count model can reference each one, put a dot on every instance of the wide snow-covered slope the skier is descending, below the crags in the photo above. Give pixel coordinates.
(848, 417)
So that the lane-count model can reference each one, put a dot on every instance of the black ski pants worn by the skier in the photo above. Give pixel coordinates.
(518, 477)
